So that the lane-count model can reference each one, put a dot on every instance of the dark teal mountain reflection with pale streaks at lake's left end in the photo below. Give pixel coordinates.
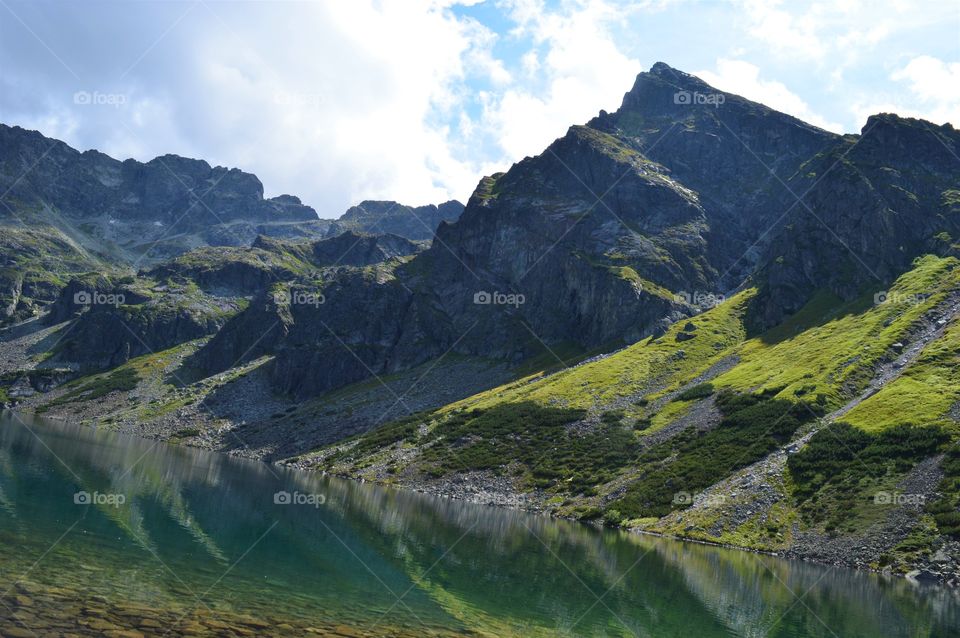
(186, 516)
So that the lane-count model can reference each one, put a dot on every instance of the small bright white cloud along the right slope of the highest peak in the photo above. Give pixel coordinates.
(743, 78)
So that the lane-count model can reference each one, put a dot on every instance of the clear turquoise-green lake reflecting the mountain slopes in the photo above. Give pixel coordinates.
(202, 530)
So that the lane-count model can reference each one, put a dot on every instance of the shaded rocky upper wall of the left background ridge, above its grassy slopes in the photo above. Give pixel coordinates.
(138, 212)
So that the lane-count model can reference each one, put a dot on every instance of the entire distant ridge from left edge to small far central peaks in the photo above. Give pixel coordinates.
(66, 212)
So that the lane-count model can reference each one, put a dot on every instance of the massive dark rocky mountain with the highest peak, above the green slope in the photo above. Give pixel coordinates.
(620, 227)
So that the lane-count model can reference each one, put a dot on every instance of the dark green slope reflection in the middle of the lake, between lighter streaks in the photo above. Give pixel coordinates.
(474, 559)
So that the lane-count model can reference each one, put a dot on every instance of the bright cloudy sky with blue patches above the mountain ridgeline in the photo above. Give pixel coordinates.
(415, 100)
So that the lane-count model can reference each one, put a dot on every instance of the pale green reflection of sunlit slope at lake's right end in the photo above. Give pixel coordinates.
(758, 595)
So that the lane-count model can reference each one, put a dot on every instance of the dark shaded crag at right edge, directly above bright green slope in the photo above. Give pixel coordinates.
(872, 204)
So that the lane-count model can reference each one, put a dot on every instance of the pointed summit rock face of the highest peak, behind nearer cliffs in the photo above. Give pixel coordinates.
(734, 153)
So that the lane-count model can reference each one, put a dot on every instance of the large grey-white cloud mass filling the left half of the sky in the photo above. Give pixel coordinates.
(333, 102)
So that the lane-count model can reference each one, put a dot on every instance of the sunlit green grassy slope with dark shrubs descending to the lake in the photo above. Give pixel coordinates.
(832, 437)
